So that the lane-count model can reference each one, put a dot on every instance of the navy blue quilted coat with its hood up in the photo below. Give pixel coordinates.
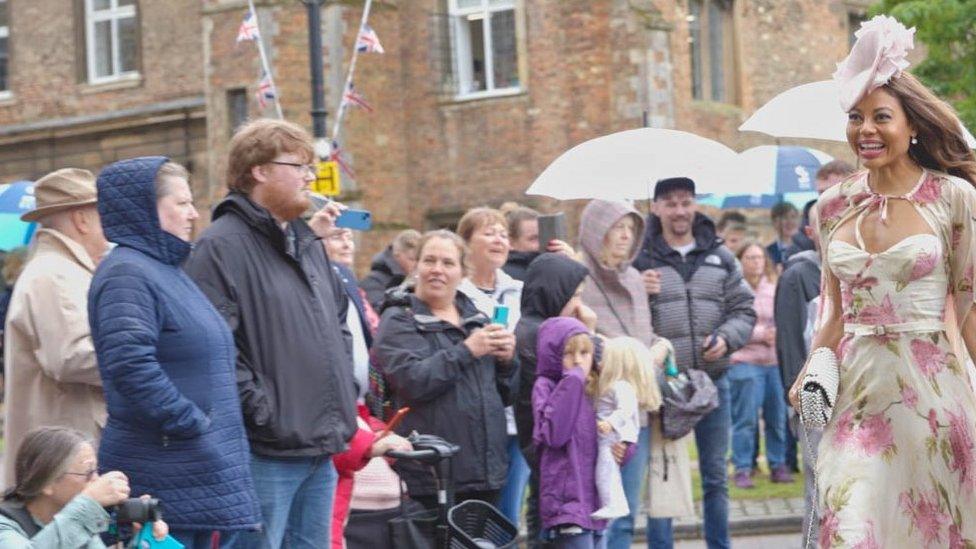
(167, 358)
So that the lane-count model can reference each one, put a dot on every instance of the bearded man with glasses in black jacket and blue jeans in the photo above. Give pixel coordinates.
(268, 274)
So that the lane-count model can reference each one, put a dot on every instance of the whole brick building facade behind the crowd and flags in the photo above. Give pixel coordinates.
(472, 98)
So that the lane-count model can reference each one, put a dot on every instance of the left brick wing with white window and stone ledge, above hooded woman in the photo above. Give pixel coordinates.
(85, 84)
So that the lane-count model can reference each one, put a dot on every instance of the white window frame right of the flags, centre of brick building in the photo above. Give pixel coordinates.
(462, 47)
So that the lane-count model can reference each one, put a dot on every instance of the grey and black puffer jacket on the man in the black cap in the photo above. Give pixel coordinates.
(702, 294)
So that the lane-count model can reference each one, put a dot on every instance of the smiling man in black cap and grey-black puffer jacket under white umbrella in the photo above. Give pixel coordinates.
(700, 303)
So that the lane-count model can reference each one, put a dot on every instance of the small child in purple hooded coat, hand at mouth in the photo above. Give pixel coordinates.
(565, 435)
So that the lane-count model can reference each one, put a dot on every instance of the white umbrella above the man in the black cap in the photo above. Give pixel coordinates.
(627, 164)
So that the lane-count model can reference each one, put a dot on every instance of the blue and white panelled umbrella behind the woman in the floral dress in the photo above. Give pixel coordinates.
(781, 169)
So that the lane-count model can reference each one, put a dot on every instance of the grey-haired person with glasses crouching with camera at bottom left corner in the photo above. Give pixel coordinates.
(59, 500)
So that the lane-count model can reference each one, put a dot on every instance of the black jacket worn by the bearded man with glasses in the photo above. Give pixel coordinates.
(287, 311)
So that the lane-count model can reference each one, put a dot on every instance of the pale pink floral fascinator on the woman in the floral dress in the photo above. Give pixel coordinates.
(877, 56)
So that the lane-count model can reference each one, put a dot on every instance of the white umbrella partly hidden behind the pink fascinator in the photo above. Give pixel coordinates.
(808, 111)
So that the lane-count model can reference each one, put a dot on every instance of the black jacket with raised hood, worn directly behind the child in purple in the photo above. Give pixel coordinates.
(550, 283)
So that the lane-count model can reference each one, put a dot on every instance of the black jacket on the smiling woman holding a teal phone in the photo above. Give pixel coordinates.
(450, 393)
